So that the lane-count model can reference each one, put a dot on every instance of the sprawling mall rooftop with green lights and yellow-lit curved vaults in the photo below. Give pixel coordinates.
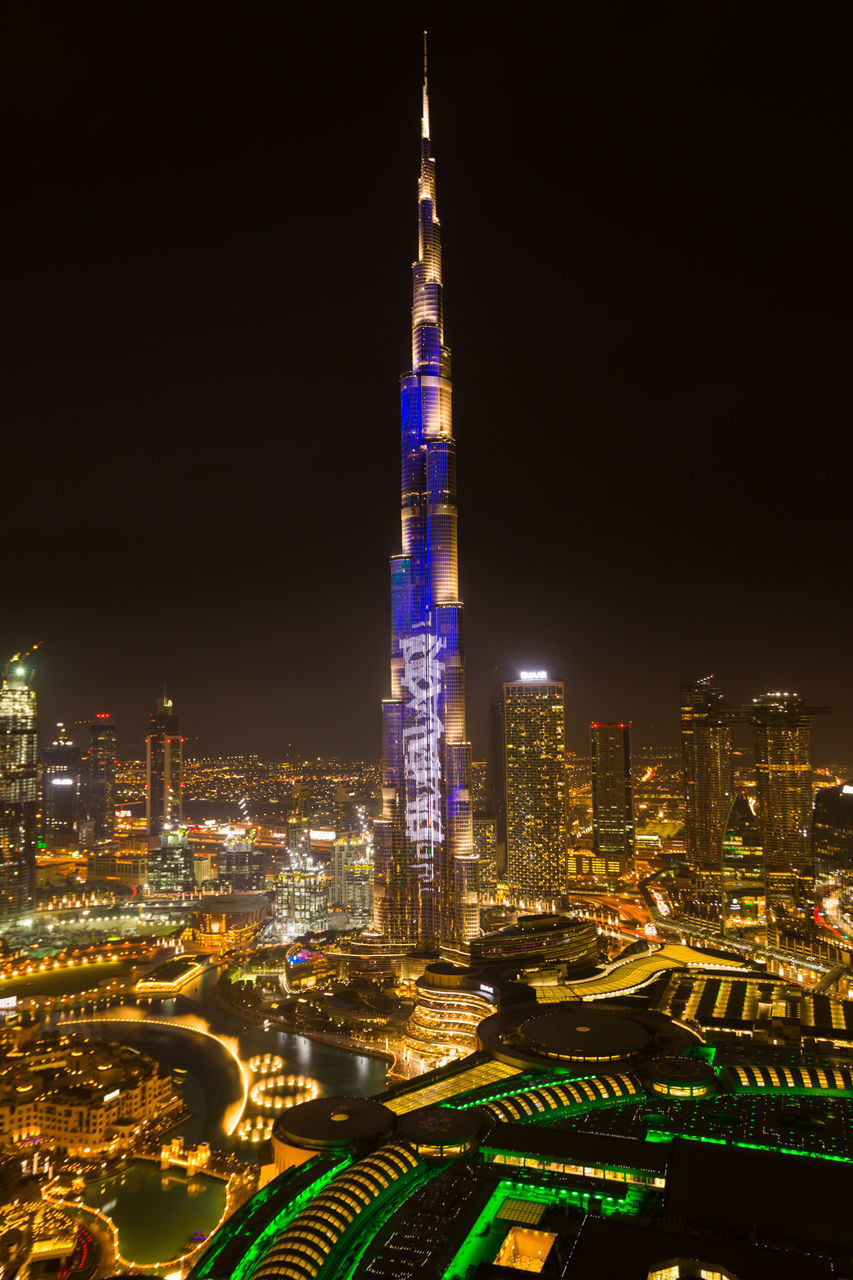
(746, 1146)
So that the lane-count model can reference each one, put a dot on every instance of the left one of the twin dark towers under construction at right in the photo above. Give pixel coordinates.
(706, 742)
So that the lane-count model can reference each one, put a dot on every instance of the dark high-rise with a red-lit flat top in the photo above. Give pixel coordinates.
(613, 794)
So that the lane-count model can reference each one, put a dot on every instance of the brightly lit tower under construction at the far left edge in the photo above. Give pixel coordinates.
(19, 789)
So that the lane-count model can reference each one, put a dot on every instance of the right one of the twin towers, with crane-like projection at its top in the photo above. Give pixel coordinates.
(783, 728)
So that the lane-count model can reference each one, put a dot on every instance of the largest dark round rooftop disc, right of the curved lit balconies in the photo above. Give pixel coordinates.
(582, 1034)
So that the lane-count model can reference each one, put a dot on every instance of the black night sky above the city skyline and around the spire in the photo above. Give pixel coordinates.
(211, 221)
